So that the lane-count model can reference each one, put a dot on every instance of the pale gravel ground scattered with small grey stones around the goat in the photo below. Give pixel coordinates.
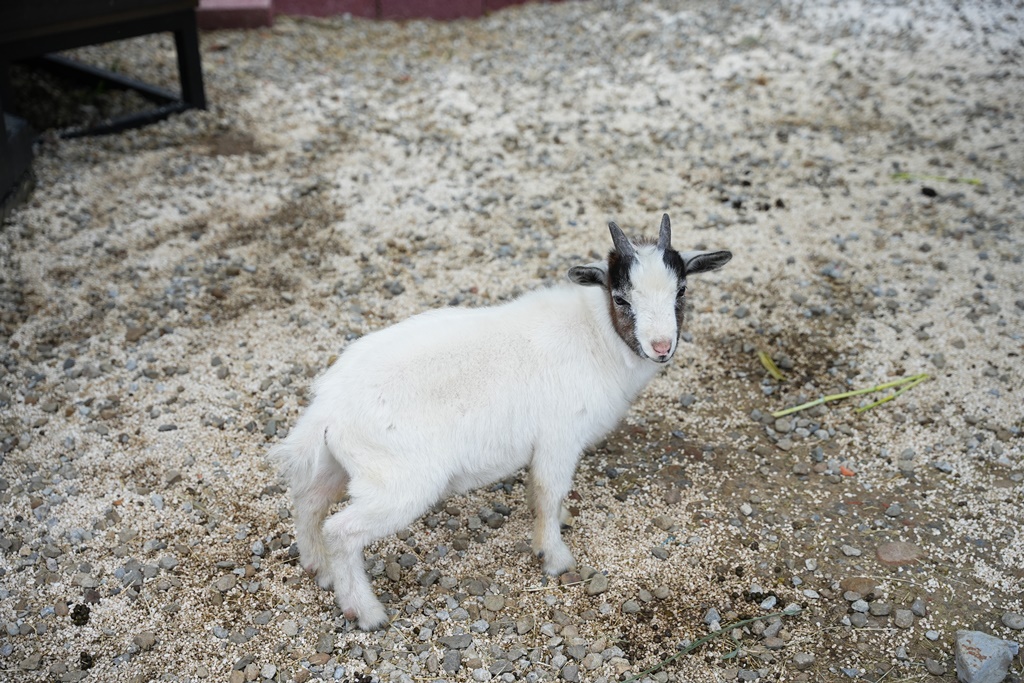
(168, 294)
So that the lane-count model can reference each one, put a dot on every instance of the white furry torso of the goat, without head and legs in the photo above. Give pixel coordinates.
(480, 390)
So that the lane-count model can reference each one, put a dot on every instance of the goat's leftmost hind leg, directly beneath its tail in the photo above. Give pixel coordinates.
(313, 495)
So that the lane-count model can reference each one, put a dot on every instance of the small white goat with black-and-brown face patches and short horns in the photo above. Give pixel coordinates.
(456, 399)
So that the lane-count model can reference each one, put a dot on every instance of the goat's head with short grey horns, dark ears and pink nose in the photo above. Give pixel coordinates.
(647, 287)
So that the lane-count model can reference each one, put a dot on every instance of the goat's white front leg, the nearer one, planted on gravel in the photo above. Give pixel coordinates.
(550, 481)
